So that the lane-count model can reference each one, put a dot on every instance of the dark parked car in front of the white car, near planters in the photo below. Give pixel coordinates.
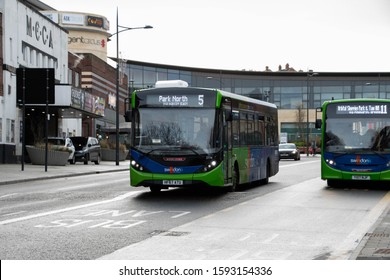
(87, 149)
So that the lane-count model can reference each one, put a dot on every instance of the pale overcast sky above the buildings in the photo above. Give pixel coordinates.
(322, 35)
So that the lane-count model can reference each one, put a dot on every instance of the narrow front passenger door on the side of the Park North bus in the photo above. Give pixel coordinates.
(227, 141)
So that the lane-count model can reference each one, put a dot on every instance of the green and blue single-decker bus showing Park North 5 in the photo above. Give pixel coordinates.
(183, 136)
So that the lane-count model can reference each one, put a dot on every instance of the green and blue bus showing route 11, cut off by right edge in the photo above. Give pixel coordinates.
(355, 140)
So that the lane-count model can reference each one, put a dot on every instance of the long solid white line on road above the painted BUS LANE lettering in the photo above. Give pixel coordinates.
(29, 217)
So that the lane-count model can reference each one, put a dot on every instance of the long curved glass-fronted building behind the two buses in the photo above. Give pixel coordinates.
(297, 94)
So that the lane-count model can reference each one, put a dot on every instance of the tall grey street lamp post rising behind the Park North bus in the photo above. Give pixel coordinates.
(117, 79)
